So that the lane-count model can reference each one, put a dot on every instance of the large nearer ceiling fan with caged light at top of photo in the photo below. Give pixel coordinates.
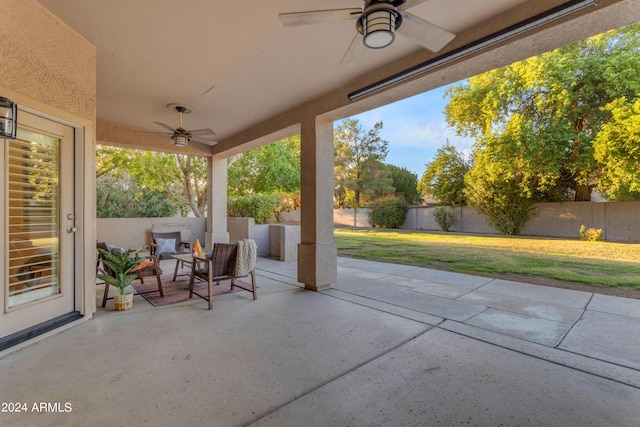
(376, 24)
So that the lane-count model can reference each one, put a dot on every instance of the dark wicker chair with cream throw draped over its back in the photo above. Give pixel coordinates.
(222, 264)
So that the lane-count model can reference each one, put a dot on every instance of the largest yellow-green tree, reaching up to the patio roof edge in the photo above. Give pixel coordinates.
(542, 114)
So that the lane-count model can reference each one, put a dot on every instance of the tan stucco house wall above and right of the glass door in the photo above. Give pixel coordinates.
(49, 69)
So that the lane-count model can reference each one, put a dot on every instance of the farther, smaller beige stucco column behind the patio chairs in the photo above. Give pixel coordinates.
(216, 222)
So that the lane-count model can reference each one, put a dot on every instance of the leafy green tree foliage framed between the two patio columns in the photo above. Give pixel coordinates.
(267, 169)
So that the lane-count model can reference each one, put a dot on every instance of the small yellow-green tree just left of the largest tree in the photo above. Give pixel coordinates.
(444, 177)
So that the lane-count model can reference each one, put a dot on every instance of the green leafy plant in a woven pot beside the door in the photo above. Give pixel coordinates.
(118, 273)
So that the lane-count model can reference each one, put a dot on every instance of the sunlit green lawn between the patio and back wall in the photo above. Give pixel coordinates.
(594, 263)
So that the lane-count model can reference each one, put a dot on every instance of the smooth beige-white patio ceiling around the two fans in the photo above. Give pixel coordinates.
(231, 60)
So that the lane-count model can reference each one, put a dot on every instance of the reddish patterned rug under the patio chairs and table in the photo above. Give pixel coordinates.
(178, 291)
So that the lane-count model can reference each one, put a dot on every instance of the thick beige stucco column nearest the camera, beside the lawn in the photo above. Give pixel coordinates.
(317, 255)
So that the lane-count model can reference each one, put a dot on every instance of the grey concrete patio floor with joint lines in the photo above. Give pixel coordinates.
(387, 345)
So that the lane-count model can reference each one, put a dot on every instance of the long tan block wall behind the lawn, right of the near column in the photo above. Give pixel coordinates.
(620, 221)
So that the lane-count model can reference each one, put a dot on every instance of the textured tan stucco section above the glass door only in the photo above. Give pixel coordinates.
(42, 58)
